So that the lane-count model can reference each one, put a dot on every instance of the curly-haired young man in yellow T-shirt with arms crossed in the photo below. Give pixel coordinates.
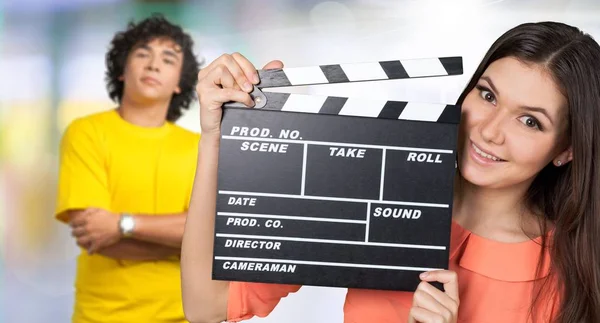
(126, 177)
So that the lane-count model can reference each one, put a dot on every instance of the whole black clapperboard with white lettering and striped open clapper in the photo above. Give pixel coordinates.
(334, 191)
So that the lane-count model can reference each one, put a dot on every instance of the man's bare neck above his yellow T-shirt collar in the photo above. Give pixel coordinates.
(153, 114)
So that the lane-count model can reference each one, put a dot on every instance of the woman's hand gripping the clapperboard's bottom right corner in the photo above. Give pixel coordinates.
(431, 305)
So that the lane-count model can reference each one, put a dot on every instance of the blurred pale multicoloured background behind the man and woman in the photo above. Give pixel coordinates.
(52, 71)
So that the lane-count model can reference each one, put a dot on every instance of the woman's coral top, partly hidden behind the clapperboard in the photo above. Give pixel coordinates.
(496, 282)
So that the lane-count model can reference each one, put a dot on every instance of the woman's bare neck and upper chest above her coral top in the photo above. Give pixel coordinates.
(497, 214)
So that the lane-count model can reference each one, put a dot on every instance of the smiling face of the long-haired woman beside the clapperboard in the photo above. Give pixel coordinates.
(514, 124)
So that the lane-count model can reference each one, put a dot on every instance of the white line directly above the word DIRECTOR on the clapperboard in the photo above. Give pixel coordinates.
(349, 242)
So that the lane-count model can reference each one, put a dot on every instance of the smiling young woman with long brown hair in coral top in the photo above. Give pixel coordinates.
(526, 217)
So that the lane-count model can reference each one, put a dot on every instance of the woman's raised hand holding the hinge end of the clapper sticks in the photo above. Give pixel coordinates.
(228, 78)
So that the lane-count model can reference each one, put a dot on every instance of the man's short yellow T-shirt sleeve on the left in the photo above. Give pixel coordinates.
(83, 178)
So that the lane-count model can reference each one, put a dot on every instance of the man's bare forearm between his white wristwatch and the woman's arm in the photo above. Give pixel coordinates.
(162, 229)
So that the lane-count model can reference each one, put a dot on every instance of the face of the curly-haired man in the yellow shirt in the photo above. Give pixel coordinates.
(152, 71)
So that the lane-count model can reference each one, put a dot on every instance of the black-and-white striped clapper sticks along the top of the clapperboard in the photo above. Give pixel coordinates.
(357, 72)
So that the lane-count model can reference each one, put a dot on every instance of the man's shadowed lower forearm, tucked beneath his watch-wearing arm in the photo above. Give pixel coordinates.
(129, 249)
